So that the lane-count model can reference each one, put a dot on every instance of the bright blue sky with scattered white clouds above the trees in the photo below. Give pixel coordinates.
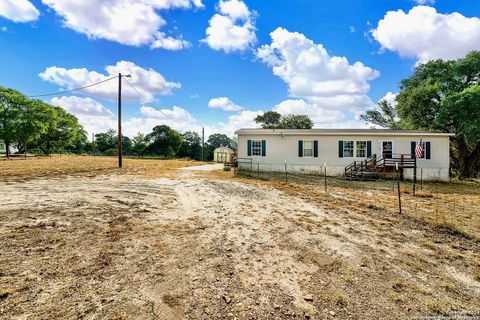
(219, 63)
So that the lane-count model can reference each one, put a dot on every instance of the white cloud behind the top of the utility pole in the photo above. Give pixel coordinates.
(147, 81)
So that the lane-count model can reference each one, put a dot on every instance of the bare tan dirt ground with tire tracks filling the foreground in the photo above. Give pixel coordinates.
(154, 242)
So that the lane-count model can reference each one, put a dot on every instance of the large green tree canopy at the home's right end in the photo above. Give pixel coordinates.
(441, 96)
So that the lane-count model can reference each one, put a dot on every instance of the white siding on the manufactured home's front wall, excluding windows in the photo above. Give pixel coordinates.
(281, 149)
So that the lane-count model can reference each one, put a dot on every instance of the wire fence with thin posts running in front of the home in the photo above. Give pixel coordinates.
(435, 203)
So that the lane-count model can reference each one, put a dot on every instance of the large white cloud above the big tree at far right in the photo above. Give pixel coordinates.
(424, 34)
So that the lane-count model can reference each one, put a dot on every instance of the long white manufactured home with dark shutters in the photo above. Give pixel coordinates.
(311, 150)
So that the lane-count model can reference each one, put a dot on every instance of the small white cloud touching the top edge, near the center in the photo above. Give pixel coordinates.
(233, 28)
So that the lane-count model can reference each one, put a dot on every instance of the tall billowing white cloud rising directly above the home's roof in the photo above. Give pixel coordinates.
(326, 86)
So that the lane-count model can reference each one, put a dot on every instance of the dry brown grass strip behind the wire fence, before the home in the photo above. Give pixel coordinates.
(452, 208)
